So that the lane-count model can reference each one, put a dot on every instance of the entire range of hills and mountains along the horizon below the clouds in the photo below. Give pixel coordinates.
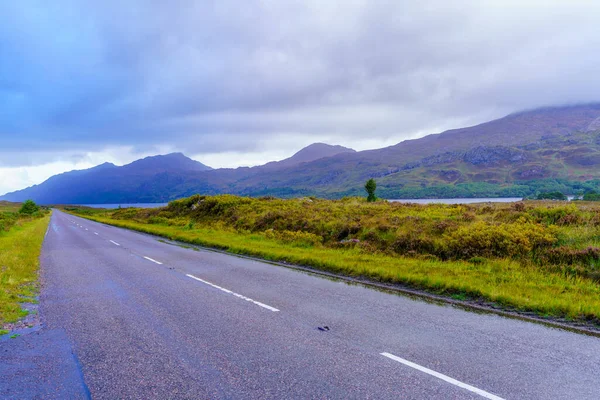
(548, 149)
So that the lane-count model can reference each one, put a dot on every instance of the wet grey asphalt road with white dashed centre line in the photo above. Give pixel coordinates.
(147, 319)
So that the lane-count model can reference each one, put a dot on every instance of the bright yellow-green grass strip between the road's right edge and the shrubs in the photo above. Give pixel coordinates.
(502, 281)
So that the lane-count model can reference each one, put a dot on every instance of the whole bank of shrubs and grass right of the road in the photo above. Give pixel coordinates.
(533, 256)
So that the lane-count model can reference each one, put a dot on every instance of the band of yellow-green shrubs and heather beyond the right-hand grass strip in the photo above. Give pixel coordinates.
(519, 230)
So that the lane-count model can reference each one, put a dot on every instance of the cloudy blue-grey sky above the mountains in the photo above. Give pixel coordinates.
(233, 83)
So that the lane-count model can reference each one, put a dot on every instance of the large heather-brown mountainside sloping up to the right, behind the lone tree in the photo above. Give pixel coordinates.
(517, 155)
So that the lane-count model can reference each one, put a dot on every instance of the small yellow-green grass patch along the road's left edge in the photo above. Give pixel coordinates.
(21, 240)
